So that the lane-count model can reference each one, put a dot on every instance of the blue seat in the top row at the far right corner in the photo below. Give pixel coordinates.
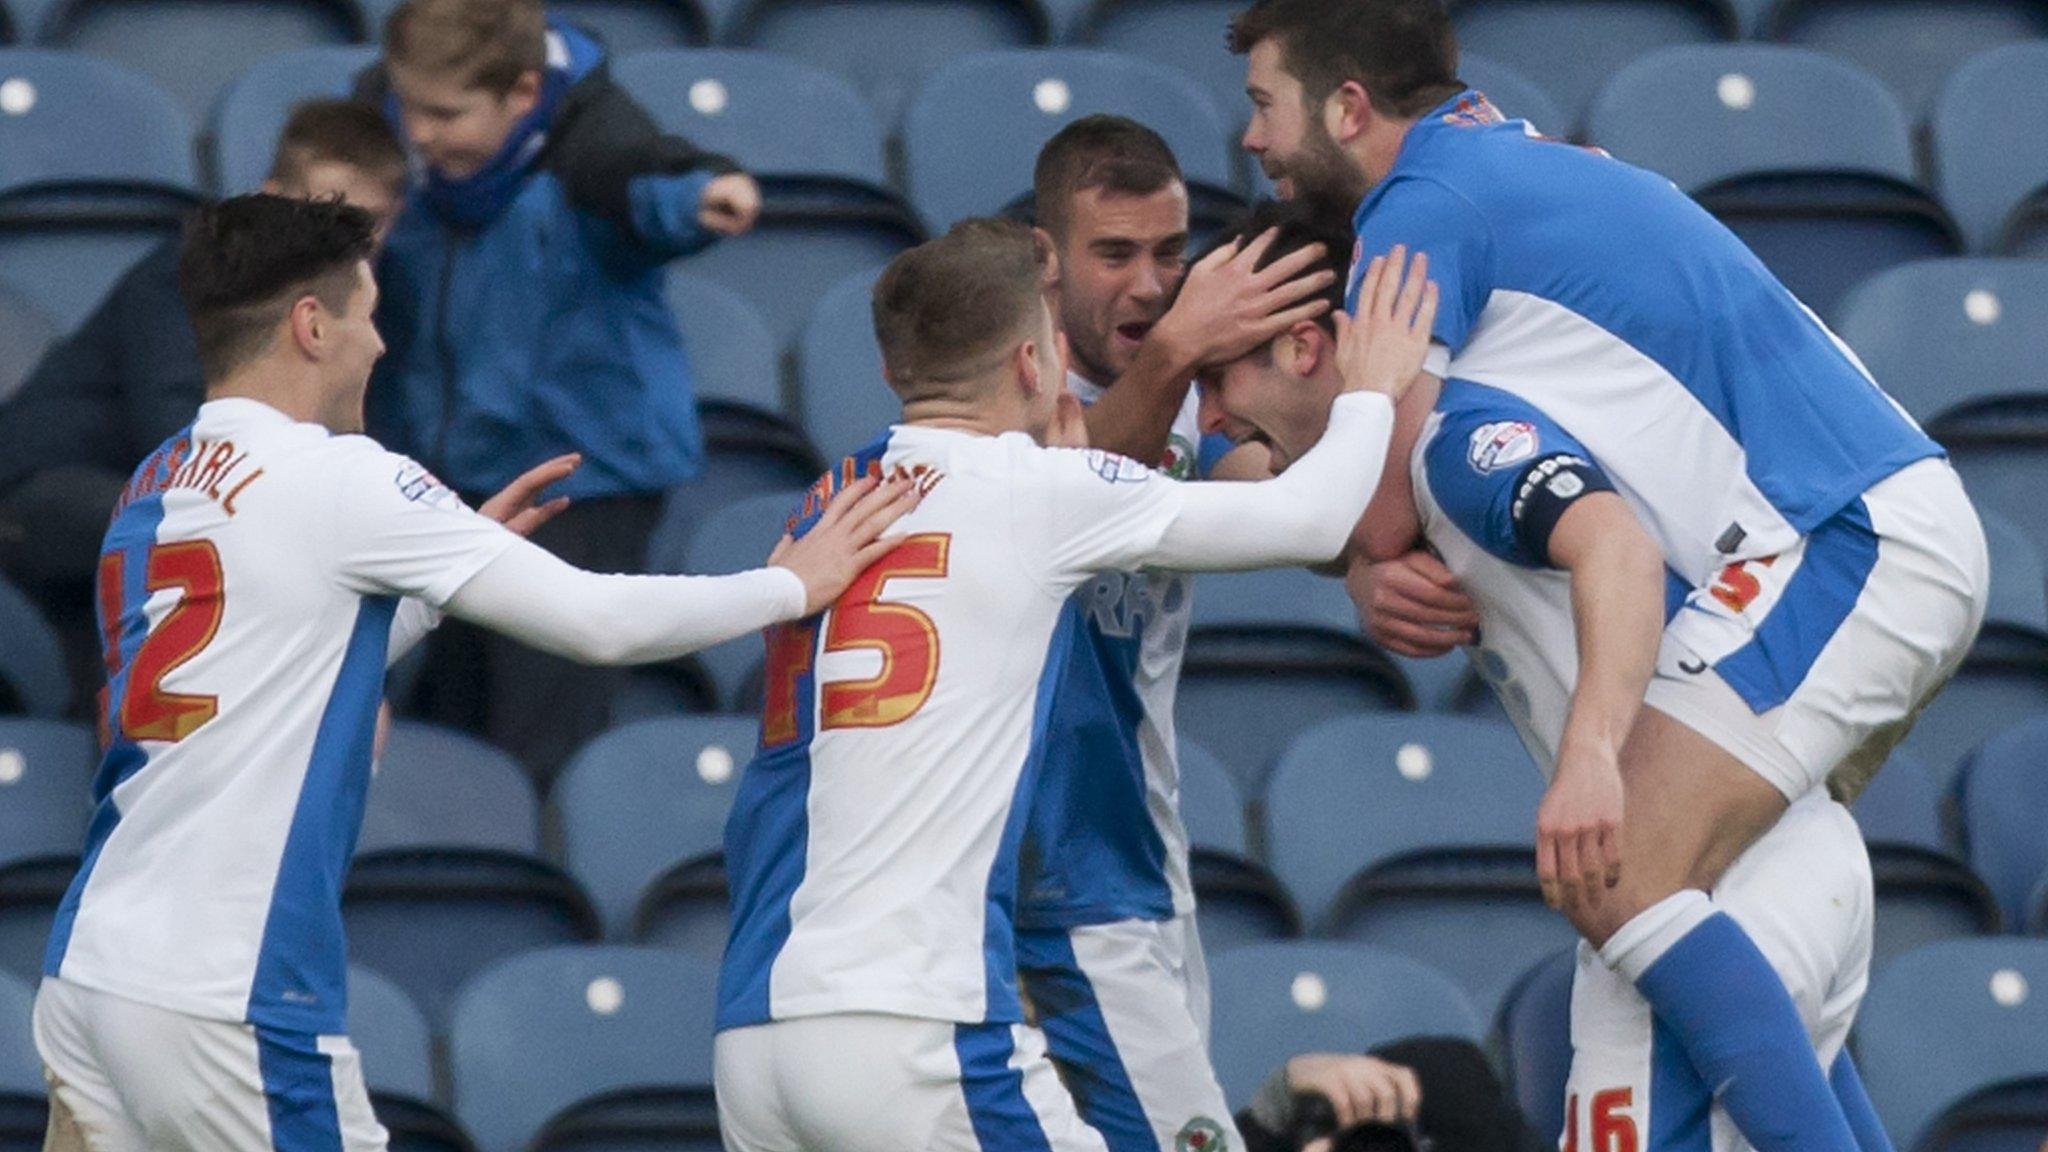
(1914, 46)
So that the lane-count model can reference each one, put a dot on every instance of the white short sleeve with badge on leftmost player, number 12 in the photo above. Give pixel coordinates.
(396, 530)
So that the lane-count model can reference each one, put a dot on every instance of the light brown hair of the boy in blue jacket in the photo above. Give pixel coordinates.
(486, 44)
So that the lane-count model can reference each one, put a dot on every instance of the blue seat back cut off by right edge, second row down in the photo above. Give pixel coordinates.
(1983, 155)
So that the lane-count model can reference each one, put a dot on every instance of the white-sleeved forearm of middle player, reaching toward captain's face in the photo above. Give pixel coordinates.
(1297, 518)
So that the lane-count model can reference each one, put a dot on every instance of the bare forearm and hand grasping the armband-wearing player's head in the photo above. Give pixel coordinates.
(1226, 308)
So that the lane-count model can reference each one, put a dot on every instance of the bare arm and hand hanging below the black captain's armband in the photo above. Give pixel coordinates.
(1617, 604)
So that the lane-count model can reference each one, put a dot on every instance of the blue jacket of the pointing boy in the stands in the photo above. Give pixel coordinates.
(523, 306)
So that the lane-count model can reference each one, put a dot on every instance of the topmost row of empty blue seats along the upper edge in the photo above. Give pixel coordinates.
(886, 48)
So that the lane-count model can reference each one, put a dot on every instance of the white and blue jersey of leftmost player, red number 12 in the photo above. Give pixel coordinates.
(247, 634)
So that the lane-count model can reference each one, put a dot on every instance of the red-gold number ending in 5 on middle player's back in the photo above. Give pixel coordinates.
(863, 618)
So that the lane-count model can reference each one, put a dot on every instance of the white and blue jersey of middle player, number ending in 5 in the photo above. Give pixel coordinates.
(876, 837)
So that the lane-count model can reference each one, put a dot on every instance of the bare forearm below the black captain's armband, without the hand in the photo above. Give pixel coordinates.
(1617, 606)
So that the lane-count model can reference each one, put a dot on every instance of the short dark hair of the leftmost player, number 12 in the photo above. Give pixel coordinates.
(247, 261)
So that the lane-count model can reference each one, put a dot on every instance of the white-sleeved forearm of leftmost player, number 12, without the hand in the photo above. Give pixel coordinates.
(622, 620)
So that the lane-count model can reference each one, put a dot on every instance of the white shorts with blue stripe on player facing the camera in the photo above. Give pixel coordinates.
(1115, 1010)
